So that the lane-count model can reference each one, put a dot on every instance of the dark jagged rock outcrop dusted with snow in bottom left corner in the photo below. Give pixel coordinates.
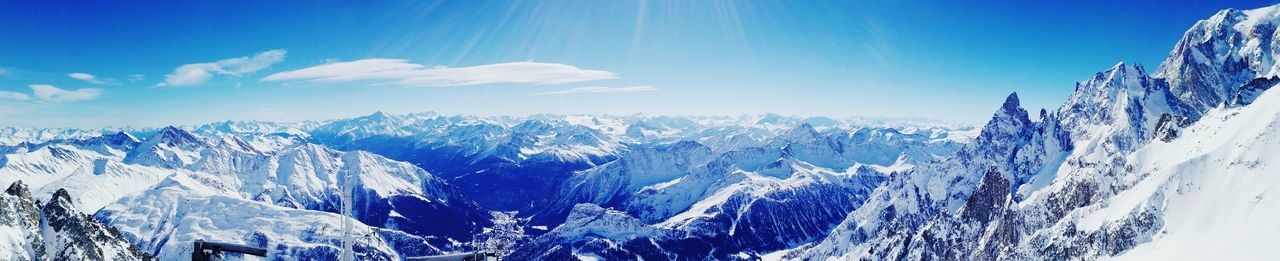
(57, 231)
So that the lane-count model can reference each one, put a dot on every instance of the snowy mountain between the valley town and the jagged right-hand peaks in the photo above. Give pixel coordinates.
(788, 191)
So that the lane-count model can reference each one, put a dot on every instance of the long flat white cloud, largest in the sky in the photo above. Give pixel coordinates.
(405, 74)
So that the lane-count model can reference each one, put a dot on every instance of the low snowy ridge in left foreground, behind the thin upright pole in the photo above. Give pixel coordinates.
(164, 219)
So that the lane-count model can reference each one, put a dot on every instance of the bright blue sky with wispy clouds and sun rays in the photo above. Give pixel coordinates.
(122, 63)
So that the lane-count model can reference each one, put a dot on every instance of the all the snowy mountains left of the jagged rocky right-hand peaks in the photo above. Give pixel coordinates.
(170, 186)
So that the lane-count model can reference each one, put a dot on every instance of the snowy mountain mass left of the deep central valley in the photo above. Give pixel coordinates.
(408, 210)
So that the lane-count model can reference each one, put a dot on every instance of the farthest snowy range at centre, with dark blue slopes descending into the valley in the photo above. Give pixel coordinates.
(510, 163)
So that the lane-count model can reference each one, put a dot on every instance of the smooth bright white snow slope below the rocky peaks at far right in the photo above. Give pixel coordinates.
(1190, 194)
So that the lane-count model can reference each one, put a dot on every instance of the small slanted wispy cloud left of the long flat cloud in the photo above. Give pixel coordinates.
(193, 75)
